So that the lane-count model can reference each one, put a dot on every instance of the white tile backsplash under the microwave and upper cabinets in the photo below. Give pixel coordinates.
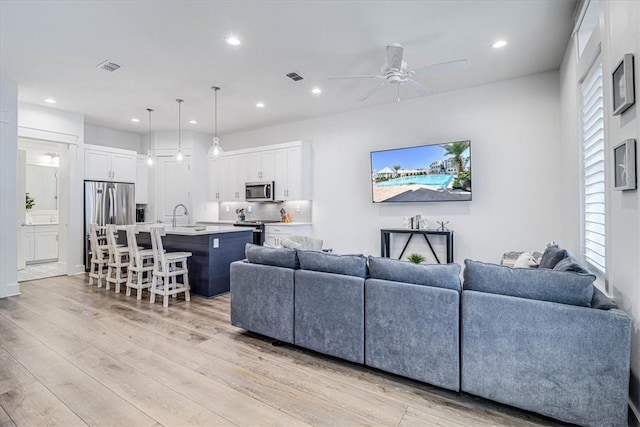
(299, 210)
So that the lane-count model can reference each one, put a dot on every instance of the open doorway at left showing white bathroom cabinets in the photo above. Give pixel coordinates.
(40, 253)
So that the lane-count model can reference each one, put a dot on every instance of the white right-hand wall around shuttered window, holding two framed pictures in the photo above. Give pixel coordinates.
(620, 34)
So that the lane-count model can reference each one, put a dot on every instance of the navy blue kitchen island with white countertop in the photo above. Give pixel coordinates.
(214, 248)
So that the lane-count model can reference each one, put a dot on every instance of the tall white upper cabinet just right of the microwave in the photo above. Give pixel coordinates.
(293, 172)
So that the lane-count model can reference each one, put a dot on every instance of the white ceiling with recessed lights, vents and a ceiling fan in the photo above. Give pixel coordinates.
(177, 49)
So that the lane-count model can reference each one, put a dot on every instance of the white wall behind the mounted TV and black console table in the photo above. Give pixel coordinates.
(514, 128)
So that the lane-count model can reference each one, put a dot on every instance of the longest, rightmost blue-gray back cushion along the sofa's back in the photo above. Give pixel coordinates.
(539, 284)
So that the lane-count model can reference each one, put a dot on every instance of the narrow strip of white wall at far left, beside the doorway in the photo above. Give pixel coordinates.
(8, 190)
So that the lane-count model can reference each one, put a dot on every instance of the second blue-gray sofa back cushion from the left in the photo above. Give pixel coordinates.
(349, 265)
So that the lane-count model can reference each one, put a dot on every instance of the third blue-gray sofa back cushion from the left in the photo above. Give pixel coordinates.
(436, 275)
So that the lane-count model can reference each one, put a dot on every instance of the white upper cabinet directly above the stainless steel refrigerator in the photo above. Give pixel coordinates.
(109, 164)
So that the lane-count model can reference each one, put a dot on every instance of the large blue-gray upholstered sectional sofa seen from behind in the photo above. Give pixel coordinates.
(526, 338)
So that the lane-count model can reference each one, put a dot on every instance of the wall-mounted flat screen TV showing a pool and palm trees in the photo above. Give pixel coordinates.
(427, 173)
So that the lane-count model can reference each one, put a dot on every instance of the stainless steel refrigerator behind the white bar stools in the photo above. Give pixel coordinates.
(107, 203)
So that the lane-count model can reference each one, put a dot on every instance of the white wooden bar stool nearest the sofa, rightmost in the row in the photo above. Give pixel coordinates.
(166, 268)
